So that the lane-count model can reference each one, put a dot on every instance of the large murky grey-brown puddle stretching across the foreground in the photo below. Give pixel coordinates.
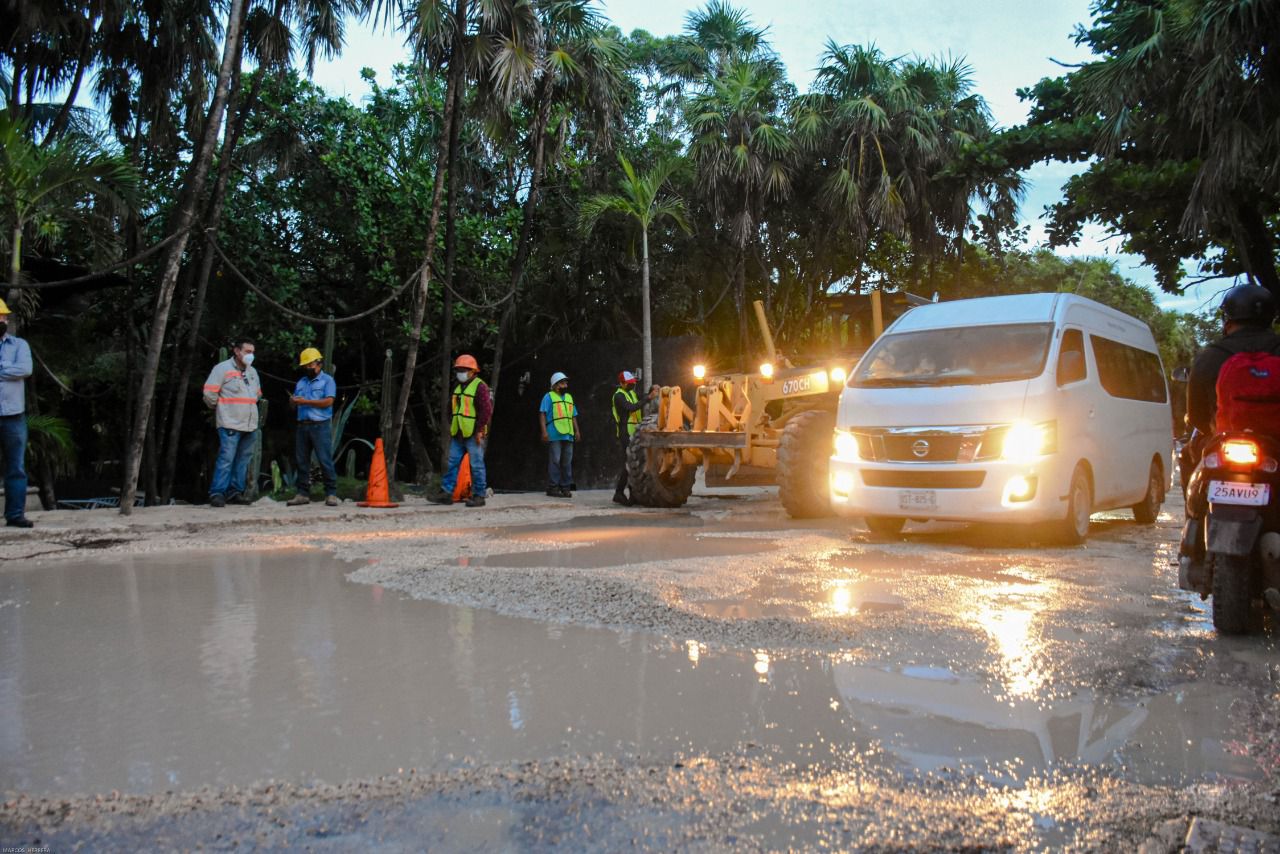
(173, 672)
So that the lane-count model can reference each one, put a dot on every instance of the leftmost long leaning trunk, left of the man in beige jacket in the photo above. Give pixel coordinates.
(184, 220)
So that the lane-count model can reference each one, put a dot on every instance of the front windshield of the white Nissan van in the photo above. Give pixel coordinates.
(956, 357)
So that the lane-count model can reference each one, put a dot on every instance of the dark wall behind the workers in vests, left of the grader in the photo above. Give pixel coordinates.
(518, 458)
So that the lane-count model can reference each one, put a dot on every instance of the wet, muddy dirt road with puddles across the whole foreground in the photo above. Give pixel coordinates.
(573, 675)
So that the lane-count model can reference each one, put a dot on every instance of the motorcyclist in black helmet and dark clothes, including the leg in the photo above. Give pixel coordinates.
(1249, 313)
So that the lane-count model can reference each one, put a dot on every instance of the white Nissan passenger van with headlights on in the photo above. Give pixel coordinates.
(1041, 408)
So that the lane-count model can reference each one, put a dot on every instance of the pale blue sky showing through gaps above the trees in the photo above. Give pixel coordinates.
(1009, 44)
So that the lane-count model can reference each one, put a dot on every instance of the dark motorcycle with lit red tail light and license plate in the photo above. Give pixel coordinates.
(1232, 542)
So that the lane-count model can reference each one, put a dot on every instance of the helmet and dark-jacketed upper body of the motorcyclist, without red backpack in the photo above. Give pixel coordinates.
(1249, 313)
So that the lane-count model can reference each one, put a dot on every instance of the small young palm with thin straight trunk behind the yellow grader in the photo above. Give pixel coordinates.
(639, 200)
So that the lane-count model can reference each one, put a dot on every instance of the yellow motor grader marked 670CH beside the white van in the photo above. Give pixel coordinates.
(774, 426)
